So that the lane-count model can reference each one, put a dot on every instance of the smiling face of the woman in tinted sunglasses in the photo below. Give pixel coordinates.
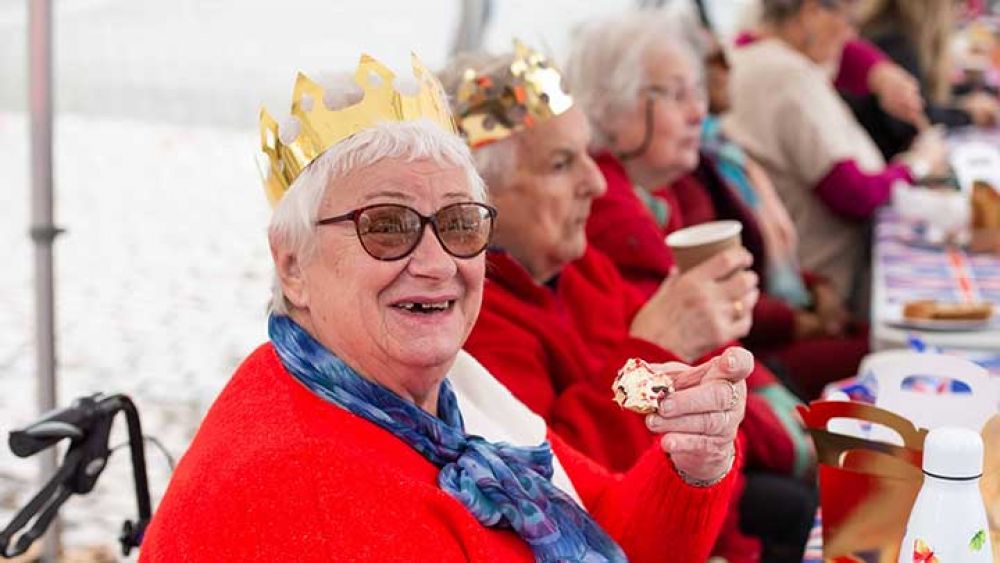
(388, 317)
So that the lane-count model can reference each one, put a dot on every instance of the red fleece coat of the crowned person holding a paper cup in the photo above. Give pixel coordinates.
(558, 351)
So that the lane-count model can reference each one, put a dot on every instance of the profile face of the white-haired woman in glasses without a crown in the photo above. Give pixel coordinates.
(672, 91)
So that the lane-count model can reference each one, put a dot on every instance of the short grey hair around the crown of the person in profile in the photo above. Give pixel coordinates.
(497, 160)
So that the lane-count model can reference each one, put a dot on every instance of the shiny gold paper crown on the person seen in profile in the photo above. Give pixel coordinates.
(493, 107)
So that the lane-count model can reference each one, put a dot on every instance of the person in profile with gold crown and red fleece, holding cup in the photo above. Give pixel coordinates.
(558, 319)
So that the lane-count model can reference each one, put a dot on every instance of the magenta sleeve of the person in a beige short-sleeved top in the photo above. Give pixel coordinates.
(852, 193)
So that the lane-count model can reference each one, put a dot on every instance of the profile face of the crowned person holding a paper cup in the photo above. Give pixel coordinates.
(543, 206)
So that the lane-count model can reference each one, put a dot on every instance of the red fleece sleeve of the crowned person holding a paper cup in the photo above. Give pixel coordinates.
(582, 412)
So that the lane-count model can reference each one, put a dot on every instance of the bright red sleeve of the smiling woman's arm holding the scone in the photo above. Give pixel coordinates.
(649, 510)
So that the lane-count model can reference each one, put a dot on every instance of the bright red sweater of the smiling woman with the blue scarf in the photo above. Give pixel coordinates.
(275, 473)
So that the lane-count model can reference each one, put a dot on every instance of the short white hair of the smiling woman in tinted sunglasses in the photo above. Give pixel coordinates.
(293, 225)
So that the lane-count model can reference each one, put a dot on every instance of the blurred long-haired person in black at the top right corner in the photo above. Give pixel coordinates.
(917, 35)
